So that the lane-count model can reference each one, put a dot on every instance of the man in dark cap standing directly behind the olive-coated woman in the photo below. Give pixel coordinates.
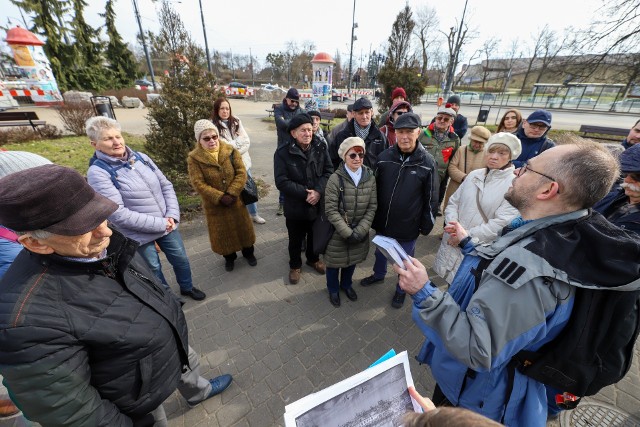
(363, 127)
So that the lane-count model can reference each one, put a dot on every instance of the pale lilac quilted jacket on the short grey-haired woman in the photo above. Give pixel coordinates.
(145, 198)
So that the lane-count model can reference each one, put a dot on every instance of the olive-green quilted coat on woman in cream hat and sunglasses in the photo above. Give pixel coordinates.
(360, 205)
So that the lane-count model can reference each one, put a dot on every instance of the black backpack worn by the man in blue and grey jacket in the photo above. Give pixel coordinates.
(594, 350)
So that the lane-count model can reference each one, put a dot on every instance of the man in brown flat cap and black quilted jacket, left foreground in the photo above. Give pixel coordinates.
(88, 335)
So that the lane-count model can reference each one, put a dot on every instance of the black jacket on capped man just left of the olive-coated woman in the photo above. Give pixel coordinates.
(296, 172)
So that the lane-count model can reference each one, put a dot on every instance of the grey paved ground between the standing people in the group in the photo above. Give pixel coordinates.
(282, 342)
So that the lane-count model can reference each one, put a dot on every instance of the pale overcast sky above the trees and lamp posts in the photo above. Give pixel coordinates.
(266, 26)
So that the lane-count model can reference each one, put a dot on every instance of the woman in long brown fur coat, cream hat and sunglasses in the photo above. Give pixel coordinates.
(217, 173)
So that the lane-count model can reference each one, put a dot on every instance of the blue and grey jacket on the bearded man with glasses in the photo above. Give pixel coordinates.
(522, 302)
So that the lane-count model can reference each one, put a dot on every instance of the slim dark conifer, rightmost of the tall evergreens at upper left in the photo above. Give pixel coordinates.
(121, 61)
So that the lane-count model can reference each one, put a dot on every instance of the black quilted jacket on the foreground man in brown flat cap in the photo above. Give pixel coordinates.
(89, 344)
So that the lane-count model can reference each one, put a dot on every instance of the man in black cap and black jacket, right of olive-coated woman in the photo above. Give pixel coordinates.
(407, 213)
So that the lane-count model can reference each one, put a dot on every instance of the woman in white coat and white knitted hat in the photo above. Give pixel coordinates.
(479, 204)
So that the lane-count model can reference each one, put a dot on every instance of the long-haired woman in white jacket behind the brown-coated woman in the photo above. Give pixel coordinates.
(231, 129)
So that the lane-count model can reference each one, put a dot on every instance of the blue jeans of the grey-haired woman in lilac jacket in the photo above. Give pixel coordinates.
(173, 248)
